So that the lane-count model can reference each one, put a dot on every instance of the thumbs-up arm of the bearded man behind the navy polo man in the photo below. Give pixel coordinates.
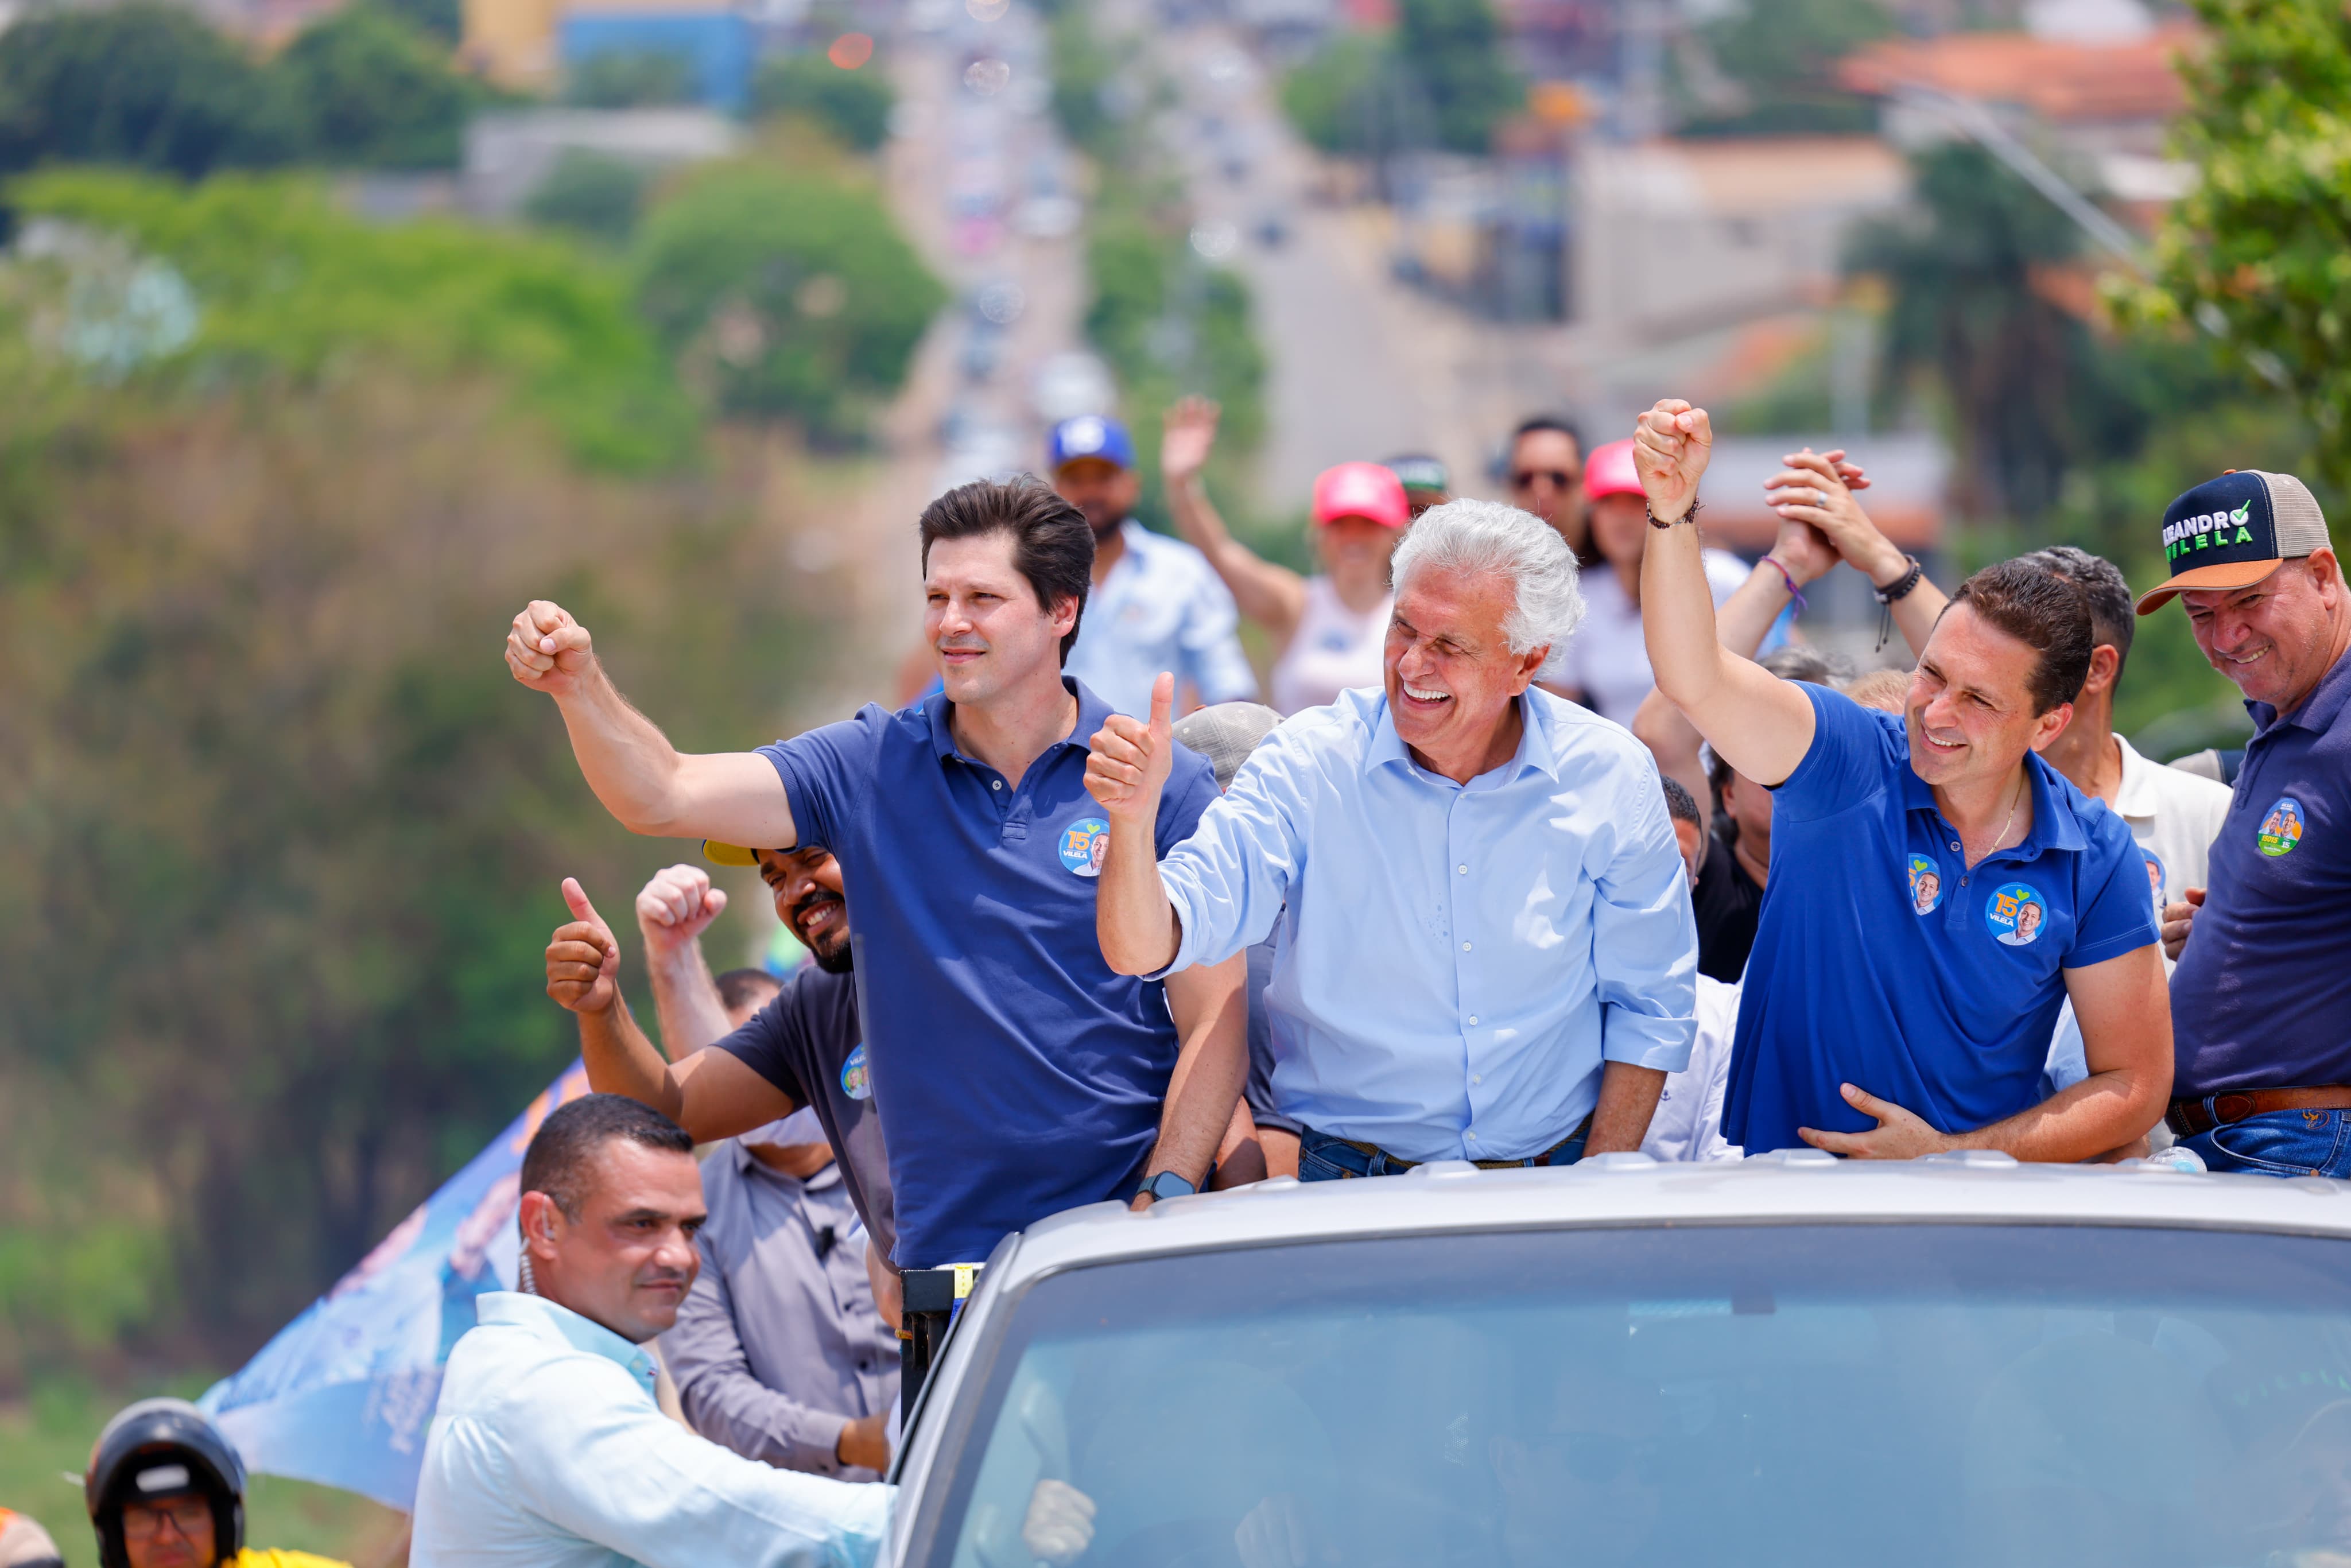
(711, 1094)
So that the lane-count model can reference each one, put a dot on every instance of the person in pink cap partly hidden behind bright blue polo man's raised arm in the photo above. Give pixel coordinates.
(1605, 666)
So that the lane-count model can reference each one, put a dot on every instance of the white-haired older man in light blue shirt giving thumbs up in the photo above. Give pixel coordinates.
(1482, 923)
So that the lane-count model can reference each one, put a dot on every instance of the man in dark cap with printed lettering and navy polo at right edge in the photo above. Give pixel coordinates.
(2263, 993)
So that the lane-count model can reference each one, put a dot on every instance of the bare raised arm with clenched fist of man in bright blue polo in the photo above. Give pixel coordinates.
(1760, 723)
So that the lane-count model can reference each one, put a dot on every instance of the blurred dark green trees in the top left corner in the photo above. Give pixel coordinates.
(154, 88)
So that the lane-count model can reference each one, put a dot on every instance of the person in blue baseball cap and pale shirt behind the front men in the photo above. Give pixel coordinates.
(1156, 605)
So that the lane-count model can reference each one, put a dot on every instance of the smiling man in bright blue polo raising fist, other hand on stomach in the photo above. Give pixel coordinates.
(1938, 890)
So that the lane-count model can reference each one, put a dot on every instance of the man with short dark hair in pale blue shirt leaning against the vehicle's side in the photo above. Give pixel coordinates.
(549, 1452)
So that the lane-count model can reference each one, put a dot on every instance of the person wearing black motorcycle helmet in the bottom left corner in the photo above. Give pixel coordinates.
(168, 1492)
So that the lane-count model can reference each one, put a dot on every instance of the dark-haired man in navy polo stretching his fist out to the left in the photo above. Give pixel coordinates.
(1014, 1073)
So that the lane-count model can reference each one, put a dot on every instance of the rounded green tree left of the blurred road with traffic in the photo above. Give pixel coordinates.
(791, 295)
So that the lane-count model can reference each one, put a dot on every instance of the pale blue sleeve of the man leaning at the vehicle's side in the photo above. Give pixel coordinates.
(610, 1468)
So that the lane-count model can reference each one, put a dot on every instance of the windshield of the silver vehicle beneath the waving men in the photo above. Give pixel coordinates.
(1908, 1395)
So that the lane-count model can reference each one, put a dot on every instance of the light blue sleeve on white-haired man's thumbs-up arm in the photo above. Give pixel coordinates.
(1233, 876)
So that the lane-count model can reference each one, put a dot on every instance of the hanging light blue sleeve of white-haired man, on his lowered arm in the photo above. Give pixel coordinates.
(1645, 939)
